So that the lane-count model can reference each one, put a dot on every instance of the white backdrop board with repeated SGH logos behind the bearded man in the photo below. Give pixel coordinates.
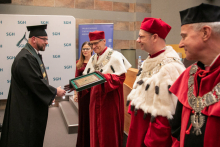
(59, 57)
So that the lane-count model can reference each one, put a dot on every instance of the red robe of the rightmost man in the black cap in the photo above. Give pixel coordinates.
(180, 89)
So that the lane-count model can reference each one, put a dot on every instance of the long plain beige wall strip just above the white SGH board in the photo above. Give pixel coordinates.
(77, 13)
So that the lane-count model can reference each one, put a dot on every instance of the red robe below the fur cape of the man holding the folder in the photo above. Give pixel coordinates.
(107, 112)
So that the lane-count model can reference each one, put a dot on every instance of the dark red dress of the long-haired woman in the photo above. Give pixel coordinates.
(83, 137)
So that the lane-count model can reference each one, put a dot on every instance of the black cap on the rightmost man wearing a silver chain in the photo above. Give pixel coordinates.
(200, 13)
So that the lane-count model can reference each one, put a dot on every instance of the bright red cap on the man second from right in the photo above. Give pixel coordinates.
(155, 26)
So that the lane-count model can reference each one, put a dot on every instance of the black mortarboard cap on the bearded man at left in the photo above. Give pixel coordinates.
(38, 30)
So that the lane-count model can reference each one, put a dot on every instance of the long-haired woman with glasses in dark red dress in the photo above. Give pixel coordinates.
(83, 99)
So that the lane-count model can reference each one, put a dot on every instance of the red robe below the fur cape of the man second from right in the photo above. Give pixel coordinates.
(143, 133)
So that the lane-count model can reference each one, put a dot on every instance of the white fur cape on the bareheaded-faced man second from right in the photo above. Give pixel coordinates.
(164, 103)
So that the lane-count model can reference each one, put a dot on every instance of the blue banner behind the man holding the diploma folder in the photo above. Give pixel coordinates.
(84, 30)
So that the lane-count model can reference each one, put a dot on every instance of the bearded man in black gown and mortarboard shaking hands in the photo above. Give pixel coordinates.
(29, 96)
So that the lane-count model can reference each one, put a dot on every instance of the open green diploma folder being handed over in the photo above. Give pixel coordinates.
(86, 81)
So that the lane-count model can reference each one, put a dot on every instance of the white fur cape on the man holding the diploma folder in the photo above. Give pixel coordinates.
(117, 61)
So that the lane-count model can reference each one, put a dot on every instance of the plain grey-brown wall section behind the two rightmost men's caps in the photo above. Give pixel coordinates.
(169, 12)
